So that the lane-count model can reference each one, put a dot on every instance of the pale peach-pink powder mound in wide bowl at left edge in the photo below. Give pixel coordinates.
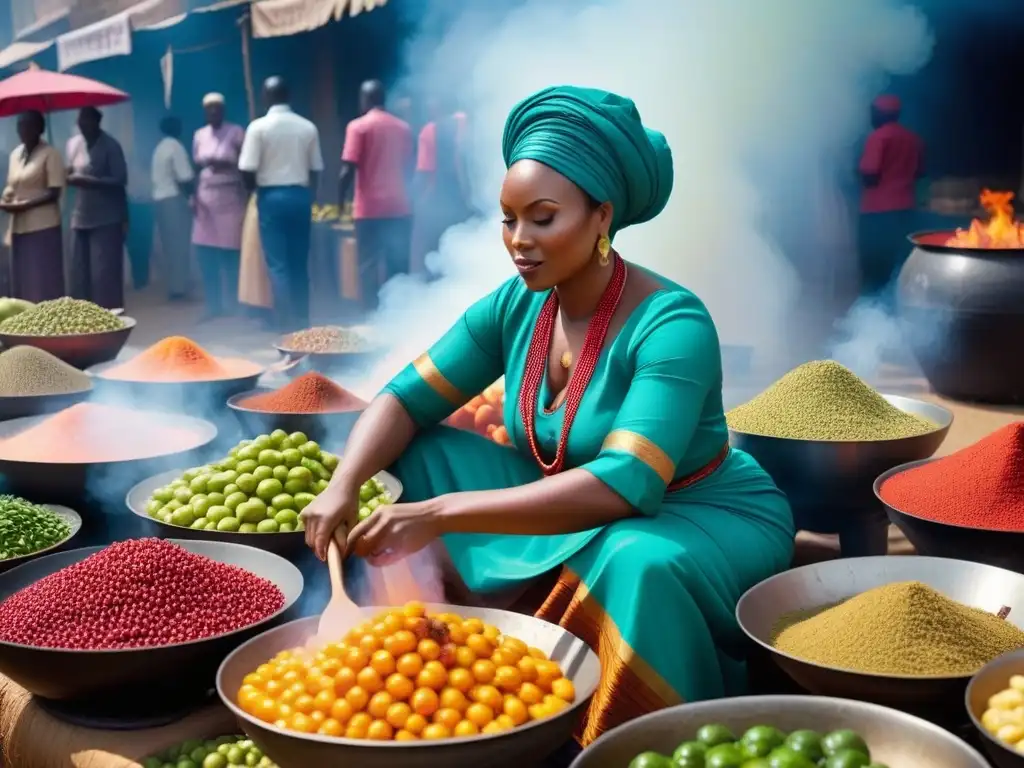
(90, 434)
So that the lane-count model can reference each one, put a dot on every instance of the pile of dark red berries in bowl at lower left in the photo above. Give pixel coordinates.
(140, 593)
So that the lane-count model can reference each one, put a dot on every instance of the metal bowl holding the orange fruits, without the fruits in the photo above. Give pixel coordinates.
(528, 746)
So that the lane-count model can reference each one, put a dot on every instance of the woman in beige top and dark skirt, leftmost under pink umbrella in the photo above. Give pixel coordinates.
(35, 182)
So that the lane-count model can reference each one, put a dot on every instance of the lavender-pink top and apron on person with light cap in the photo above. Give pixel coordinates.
(221, 196)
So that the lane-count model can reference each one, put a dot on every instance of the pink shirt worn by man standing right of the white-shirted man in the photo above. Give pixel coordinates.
(380, 146)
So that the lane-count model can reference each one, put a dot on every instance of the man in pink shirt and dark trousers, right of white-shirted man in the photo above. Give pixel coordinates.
(378, 155)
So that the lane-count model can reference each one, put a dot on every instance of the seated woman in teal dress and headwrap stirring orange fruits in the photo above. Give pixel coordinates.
(619, 478)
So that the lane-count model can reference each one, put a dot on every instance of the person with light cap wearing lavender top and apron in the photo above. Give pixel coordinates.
(220, 208)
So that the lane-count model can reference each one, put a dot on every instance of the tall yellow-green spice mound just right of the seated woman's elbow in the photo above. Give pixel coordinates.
(824, 401)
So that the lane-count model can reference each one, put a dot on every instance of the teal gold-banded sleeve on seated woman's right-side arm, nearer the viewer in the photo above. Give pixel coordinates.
(677, 362)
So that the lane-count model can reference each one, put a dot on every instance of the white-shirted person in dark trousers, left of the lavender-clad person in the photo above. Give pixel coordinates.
(174, 180)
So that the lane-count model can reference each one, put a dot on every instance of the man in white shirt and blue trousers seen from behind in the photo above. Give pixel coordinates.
(281, 160)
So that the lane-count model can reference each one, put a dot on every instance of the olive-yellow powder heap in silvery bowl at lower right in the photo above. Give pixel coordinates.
(902, 629)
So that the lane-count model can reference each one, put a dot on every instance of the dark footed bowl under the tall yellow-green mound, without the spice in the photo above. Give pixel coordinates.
(829, 483)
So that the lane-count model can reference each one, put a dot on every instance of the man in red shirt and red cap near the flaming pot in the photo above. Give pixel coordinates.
(891, 165)
